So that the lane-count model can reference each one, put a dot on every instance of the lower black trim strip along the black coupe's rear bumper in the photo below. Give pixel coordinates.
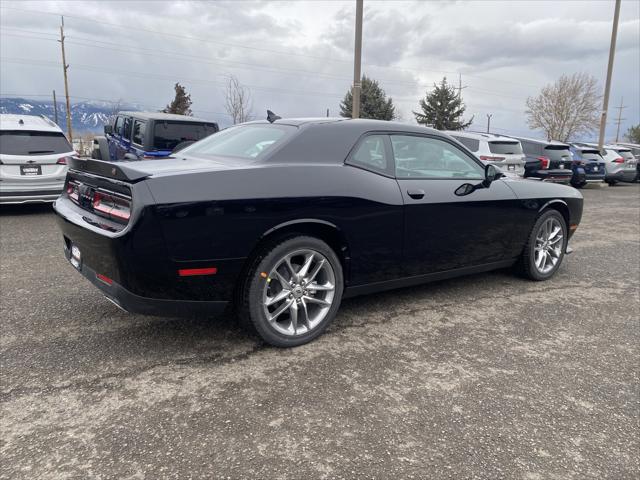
(133, 303)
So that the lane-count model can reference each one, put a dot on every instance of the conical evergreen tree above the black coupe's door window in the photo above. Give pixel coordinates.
(442, 108)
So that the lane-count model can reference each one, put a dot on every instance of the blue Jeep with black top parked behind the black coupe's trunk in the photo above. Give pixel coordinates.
(149, 135)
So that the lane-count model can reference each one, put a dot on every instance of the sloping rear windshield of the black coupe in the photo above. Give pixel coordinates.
(246, 141)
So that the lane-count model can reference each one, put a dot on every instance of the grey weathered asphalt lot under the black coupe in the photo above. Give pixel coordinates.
(488, 376)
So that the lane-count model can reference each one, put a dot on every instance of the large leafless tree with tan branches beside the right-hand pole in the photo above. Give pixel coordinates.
(567, 108)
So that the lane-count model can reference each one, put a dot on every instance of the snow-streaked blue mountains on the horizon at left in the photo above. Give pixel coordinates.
(86, 117)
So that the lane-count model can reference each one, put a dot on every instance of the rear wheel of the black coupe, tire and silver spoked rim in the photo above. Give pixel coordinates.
(267, 281)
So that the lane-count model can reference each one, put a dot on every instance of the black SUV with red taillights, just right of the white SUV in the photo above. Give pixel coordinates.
(547, 161)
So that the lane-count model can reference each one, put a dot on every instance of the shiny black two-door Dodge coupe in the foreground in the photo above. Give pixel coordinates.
(282, 219)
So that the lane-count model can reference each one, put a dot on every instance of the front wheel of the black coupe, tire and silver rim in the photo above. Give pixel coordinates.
(529, 264)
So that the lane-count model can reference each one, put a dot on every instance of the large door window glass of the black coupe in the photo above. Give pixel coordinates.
(428, 157)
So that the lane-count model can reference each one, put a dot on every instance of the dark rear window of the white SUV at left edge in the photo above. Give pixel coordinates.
(21, 142)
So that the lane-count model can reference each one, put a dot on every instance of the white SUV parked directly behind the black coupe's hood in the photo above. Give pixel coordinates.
(503, 152)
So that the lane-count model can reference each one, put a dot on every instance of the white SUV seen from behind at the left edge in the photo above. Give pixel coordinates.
(33, 159)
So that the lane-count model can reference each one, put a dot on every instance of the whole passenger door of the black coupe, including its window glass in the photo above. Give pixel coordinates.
(444, 231)
